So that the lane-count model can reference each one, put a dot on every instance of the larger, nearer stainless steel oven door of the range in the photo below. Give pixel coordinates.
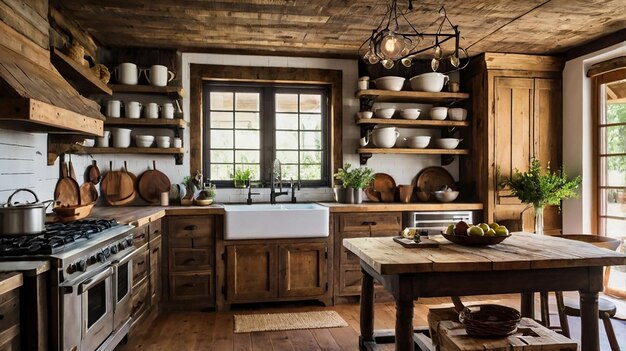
(96, 299)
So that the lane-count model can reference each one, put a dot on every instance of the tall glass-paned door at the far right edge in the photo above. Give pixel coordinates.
(612, 174)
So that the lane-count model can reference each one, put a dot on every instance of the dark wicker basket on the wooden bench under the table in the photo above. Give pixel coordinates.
(489, 321)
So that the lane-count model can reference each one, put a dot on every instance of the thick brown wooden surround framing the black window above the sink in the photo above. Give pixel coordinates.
(332, 79)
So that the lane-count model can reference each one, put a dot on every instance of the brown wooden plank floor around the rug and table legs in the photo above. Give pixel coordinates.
(200, 331)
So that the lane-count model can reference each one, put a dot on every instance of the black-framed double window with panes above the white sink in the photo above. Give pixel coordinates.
(247, 126)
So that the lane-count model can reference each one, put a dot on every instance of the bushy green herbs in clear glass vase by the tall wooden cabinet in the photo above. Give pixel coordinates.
(539, 189)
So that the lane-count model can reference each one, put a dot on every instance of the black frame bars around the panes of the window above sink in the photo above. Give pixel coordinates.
(267, 126)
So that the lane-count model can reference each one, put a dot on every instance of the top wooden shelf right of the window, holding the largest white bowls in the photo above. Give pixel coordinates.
(410, 96)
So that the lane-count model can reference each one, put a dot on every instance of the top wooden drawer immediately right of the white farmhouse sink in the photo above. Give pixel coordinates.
(370, 222)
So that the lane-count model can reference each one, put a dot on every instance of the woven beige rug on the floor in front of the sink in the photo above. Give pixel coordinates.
(287, 321)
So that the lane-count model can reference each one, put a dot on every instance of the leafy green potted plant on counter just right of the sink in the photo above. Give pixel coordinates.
(353, 181)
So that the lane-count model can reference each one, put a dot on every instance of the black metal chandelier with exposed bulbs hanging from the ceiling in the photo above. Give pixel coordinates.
(388, 45)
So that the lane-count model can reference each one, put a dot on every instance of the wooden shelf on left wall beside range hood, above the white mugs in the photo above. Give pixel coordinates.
(78, 75)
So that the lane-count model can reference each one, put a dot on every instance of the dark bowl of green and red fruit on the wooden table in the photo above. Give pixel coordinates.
(482, 234)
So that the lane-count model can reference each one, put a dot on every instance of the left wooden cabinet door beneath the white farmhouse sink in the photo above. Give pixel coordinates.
(251, 272)
